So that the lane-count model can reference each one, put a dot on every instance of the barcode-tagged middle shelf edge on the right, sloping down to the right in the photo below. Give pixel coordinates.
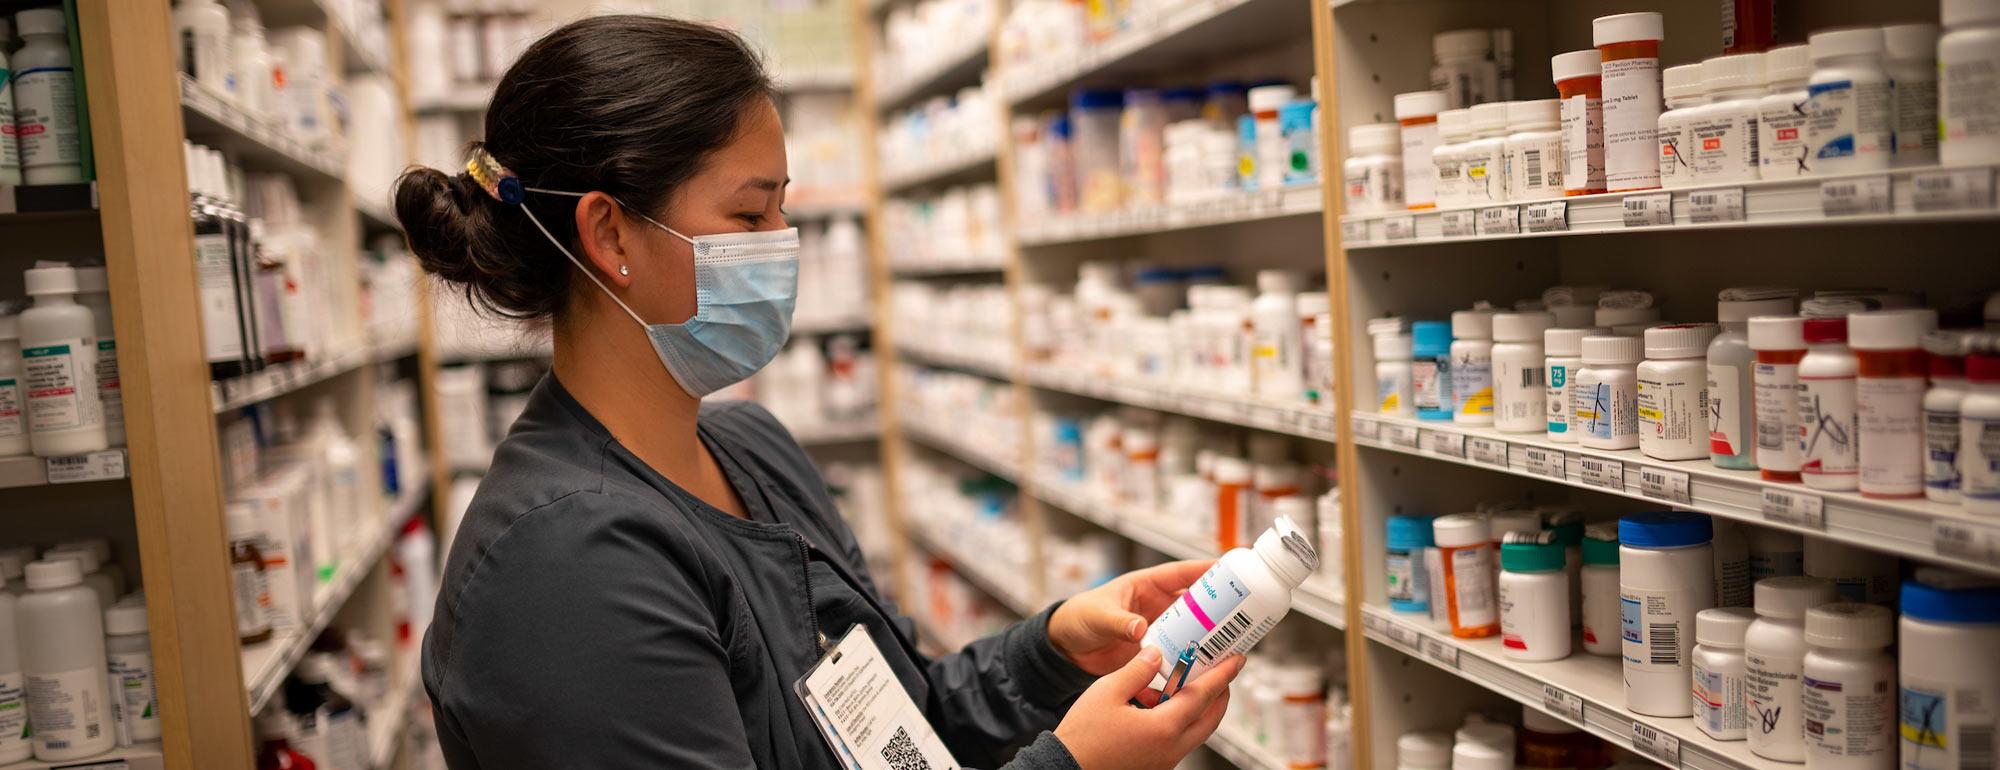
(1911, 529)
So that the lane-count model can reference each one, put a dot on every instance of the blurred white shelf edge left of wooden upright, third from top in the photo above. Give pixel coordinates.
(1295, 419)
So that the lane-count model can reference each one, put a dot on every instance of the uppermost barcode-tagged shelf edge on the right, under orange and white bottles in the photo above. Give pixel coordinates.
(1765, 203)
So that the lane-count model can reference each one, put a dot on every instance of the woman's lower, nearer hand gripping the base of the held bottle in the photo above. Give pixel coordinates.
(1103, 731)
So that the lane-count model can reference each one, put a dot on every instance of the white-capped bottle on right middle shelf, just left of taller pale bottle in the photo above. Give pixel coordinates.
(1673, 393)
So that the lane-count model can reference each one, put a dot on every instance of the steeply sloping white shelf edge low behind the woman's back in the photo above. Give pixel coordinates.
(267, 663)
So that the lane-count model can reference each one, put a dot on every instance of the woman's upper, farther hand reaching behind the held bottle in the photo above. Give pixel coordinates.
(1101, 629)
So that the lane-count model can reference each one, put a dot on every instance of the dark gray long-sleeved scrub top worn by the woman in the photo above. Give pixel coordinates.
(593, 615)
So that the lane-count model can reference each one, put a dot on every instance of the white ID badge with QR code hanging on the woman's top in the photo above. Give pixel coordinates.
(865, 715)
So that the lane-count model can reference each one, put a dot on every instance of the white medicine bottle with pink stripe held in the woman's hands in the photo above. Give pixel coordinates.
(1233, 605)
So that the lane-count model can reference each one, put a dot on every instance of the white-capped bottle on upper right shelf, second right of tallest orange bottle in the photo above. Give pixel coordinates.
(1723, 133)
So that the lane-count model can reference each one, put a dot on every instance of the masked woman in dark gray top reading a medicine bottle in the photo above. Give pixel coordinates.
(643, 579)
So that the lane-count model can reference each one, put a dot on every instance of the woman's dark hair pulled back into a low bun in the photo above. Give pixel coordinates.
(623, 105)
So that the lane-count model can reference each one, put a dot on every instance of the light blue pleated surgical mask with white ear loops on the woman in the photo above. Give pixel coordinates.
(745, 289)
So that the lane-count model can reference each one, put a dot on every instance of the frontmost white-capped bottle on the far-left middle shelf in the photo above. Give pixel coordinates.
(61, 367)
